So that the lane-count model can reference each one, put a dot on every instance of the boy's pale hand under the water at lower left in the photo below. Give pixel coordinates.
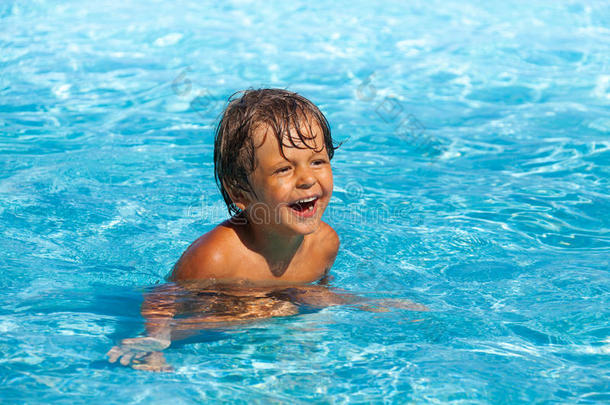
(141, 353)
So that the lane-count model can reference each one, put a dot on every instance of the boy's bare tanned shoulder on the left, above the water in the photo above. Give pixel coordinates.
(211, 256)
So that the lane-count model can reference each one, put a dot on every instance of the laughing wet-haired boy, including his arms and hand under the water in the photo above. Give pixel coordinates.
(272, 156)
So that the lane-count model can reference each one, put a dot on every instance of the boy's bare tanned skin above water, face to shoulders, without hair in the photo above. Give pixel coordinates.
(275, 240)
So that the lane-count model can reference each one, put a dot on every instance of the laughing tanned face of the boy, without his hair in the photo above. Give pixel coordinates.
(291, 193)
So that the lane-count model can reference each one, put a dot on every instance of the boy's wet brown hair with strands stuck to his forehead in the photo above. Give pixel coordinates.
(280, 111)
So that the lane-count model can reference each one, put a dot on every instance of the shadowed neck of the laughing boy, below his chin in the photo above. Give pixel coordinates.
(277, 249)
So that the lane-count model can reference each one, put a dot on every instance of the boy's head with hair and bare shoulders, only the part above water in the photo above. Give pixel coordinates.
(272, 157)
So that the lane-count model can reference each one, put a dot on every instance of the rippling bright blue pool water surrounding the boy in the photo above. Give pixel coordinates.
(473, 178)
